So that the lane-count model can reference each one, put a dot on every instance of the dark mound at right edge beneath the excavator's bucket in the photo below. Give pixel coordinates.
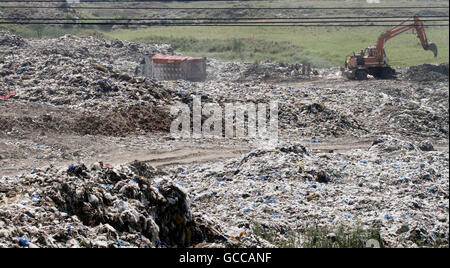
(428, 73)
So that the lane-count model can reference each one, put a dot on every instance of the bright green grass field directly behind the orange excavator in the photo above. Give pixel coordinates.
(322, 47)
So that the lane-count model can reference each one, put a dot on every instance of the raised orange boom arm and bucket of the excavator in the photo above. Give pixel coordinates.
(404, 27)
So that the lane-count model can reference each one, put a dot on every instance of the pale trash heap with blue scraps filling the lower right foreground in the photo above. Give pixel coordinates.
(394, 187)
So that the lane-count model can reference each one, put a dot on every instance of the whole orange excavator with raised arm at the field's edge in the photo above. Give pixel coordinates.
(373, 60)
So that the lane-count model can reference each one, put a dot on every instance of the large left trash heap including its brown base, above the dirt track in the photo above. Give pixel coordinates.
(81, 85)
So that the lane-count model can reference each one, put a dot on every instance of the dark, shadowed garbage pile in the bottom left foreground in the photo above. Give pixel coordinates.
(100, 206)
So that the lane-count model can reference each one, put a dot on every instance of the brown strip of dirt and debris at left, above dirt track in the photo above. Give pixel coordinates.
(131, 120)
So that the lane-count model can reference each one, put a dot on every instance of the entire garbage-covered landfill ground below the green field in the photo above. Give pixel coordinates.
(87, 158)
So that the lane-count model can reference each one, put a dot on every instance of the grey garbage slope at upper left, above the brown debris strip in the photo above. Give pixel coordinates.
(78, 72)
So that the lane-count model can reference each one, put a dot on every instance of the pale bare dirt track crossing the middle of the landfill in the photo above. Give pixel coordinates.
(22, 155)
